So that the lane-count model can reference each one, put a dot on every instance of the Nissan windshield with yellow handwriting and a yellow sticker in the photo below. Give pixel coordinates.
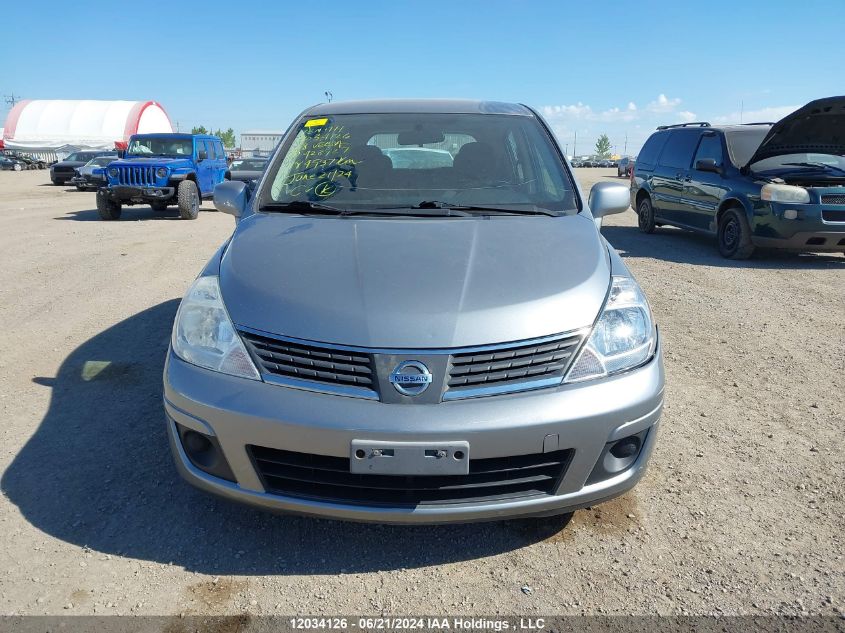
(356, 161)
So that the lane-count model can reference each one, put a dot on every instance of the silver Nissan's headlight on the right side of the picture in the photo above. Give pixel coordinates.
(623, 338)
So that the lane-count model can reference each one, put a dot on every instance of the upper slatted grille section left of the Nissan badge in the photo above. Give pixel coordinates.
(311, 362)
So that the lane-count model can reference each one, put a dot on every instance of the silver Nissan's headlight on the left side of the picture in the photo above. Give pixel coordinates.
(204, 335)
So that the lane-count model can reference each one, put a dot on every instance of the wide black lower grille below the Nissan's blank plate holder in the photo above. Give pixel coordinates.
(324, 478)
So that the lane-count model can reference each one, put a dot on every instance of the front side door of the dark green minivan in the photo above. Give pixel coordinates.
(705, 187)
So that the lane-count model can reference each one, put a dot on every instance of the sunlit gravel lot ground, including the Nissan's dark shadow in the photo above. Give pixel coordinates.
(741, 511)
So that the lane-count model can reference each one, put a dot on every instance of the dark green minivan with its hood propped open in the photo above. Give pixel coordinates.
(778, 185)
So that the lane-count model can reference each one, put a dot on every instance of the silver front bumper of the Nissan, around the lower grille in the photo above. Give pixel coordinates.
(582, 417)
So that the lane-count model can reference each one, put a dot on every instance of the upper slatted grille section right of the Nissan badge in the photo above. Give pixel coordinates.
(511, 366)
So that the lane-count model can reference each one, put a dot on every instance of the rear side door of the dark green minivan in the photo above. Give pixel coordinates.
(670, 176)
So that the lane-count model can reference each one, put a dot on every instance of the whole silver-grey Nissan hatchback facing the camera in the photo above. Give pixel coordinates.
(415, 320)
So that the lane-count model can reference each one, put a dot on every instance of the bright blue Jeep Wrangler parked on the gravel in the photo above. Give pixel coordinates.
(163, 170)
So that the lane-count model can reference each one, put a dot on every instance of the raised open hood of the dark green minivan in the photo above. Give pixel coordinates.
(817, 127)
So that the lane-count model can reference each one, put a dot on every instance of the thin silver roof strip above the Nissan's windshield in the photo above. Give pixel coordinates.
(443, 106)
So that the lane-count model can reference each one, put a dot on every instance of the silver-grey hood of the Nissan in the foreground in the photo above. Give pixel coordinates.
(415, 283)
